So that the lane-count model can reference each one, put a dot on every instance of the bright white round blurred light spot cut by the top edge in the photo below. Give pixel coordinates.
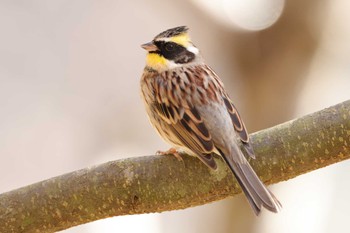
(246, 14)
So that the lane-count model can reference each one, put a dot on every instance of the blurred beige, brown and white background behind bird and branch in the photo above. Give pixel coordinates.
(69, 95)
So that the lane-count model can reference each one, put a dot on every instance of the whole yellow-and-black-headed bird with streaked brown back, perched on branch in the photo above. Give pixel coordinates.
(187, 104)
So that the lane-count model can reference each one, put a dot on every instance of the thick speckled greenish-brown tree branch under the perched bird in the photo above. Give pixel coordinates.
(160, 183)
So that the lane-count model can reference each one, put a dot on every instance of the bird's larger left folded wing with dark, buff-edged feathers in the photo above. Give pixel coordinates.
(188, 127)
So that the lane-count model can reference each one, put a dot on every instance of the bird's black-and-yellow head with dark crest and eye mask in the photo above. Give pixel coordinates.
(170, 49)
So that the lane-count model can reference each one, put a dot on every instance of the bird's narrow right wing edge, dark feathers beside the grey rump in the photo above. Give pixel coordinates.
(239, 126)
